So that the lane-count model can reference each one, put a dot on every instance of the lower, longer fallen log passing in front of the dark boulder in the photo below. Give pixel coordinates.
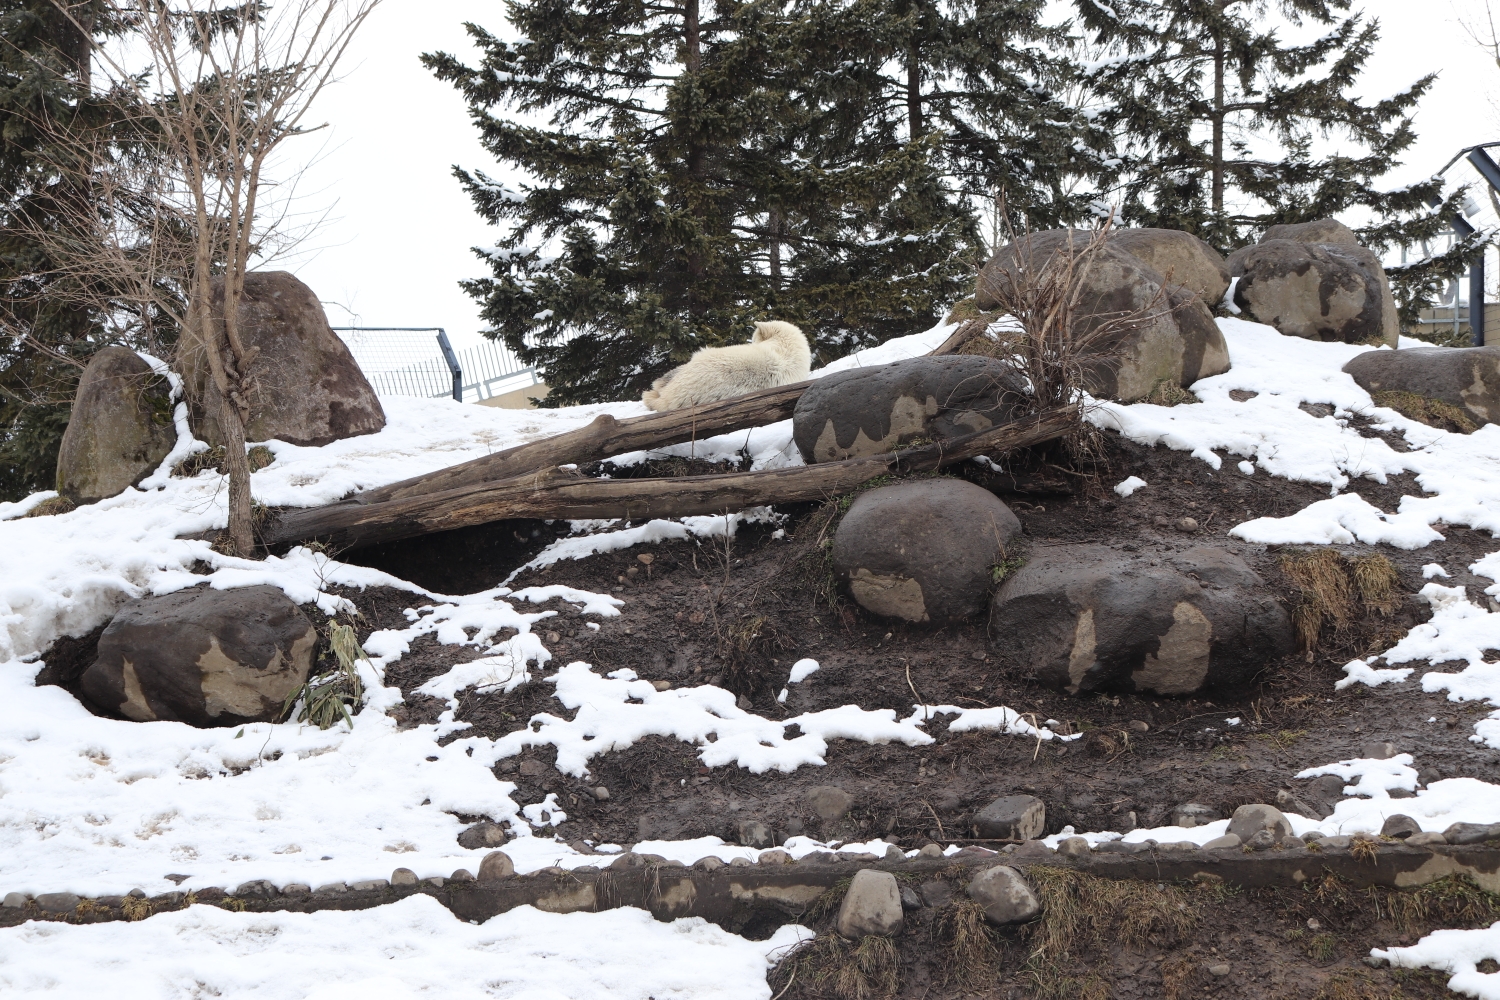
(560, 494)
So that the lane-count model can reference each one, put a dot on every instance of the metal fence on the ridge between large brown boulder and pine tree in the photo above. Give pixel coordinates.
(421, 362)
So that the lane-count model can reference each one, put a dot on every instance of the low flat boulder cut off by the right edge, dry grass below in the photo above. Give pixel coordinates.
(1468, 379)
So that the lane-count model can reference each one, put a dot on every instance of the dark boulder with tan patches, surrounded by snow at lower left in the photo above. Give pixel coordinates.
(203, 657)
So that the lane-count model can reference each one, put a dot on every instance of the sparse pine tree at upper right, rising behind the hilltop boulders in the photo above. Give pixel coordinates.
(1226, 128)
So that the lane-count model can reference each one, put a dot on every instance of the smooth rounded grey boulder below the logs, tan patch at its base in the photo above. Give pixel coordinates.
(923, 551)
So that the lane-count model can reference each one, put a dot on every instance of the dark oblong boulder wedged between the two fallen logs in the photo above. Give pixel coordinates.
(880, 410)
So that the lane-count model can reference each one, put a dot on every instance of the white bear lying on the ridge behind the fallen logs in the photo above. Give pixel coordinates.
(778, 355)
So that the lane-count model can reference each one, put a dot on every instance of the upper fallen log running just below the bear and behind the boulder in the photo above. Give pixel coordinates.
(610, 437)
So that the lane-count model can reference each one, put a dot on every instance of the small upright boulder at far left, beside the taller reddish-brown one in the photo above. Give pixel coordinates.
(121, 430)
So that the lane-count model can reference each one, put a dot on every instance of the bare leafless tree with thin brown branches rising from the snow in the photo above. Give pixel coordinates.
(176, 197)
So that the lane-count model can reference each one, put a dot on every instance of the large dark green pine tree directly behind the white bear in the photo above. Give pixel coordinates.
(677, 188)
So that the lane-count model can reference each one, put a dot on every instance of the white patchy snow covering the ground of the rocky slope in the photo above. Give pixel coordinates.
(97, 806)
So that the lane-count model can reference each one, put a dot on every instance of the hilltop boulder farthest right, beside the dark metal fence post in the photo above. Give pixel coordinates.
(1316, 281)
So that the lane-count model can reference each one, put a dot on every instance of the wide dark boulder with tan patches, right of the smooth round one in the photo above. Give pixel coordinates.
(1085, 617)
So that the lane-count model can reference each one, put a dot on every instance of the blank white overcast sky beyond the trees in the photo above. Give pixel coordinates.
(398, 232)
